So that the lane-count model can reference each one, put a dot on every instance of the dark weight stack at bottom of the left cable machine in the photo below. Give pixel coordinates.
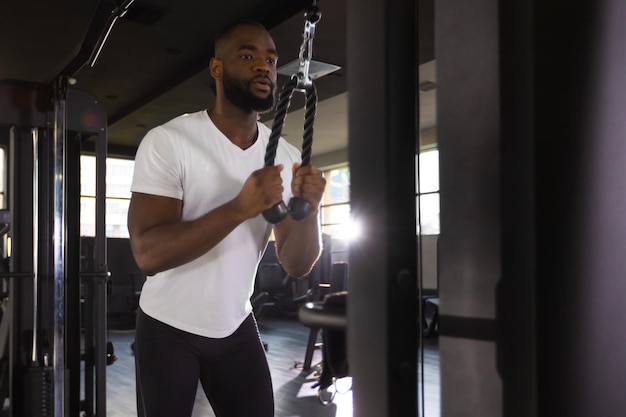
(39, 392)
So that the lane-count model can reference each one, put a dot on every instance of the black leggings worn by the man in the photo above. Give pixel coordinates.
(233, 371)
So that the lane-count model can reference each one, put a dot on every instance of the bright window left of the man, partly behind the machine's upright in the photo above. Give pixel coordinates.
(119, 174)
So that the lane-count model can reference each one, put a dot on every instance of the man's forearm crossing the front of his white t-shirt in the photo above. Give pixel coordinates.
(167, 246)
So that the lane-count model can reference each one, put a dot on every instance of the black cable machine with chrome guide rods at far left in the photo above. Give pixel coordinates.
(53, 294)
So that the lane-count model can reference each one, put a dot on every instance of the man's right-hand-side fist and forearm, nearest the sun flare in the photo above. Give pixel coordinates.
(299, 243)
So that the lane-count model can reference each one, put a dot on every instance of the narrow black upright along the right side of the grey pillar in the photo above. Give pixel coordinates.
(517, 296)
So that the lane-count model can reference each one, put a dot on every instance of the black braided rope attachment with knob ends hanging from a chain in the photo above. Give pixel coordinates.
(298, 208)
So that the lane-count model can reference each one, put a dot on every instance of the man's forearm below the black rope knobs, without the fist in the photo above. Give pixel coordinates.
(301, 246)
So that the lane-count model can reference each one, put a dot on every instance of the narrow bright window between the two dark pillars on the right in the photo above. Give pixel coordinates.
(427, 192)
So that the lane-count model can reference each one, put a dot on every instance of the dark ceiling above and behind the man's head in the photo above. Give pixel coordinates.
(153, 65)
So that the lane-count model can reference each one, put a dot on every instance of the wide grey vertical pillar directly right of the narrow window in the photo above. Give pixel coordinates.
(468, 108)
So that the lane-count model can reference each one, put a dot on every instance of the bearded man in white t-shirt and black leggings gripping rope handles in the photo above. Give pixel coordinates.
(196, 230)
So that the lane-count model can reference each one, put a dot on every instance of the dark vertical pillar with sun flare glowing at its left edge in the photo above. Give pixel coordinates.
(382, 305)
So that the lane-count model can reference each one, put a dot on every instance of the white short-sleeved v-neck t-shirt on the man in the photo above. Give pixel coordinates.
(188, 158)
